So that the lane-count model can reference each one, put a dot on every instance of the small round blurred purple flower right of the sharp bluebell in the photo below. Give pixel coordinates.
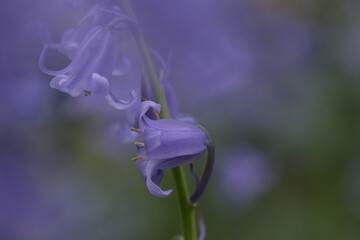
(245, 175)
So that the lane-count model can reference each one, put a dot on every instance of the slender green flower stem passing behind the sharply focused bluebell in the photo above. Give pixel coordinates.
(186, 209)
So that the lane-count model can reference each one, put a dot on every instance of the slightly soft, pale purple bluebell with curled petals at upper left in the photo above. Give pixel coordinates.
(93, 56)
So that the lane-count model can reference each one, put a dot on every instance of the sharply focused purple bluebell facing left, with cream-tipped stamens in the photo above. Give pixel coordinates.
(165, 144)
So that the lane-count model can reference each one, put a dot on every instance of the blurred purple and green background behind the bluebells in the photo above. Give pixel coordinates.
(276, 82)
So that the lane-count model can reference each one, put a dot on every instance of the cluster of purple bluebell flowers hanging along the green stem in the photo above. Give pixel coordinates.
(93, 48)
